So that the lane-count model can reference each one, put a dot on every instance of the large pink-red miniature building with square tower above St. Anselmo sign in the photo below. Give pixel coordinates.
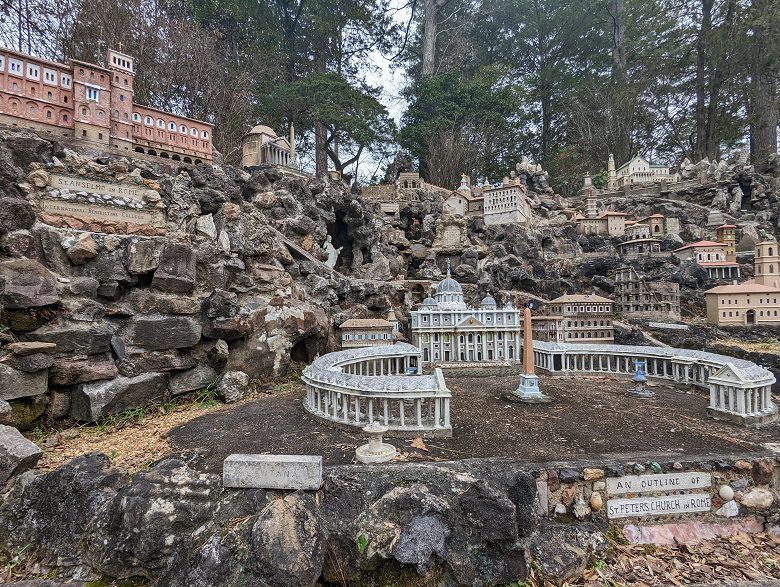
(93, 105)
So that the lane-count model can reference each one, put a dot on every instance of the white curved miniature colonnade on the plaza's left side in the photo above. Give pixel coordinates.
(360, 386)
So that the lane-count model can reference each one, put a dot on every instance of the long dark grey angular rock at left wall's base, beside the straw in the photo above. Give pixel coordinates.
(93, 401)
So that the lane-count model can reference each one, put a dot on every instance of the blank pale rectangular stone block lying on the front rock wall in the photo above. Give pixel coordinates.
(272, 471)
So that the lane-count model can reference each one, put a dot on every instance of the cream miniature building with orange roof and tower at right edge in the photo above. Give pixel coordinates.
(756, 301)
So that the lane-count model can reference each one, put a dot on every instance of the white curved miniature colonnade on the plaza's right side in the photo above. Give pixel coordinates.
(740, 391)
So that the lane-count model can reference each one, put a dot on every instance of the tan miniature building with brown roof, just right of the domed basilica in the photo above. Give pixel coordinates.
(576, 318)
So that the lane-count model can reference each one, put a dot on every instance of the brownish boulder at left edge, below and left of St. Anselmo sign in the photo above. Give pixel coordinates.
(25, 283)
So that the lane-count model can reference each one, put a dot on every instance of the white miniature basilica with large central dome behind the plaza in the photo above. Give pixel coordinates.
(444, 328)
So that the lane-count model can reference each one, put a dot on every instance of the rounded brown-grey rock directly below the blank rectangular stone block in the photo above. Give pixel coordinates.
(287, 542)
